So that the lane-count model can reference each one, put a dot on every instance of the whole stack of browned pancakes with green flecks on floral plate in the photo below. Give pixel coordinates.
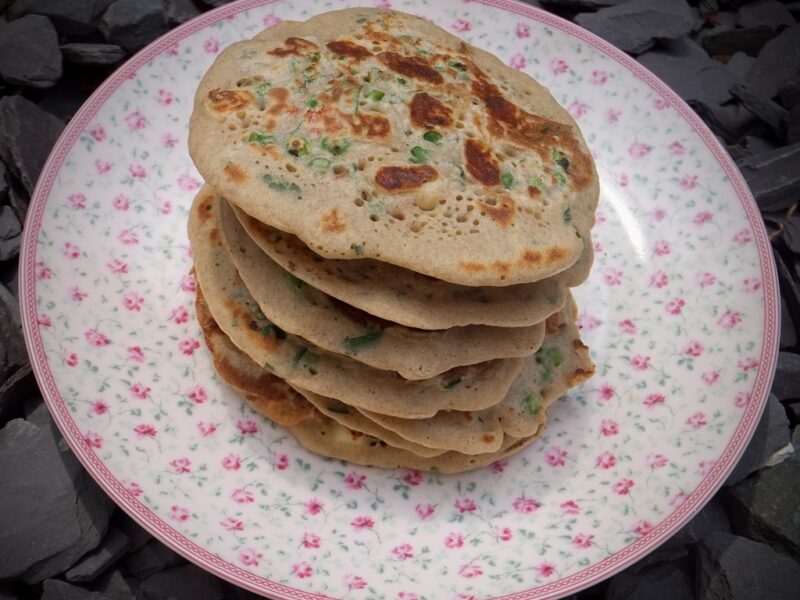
(387, 239)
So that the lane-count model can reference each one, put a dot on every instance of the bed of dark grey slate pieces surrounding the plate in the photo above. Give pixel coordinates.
(736, 62)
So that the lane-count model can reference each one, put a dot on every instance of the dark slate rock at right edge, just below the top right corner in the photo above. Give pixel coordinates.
(776, 63)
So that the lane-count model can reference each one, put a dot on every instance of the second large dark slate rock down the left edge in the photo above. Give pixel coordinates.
(27, 134)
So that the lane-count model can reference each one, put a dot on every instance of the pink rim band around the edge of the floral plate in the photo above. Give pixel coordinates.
(195, 553)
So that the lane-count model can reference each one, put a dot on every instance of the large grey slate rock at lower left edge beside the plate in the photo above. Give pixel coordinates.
(53, 512)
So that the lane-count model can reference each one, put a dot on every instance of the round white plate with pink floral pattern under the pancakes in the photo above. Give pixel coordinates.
(680, 313)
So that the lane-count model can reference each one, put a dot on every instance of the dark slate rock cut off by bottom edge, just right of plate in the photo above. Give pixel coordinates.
(661, 582)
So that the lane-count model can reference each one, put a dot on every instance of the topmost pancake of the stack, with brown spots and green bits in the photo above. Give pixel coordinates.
(375, 134)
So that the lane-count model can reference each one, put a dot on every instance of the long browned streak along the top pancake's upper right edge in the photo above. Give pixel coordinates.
(530, 131)
